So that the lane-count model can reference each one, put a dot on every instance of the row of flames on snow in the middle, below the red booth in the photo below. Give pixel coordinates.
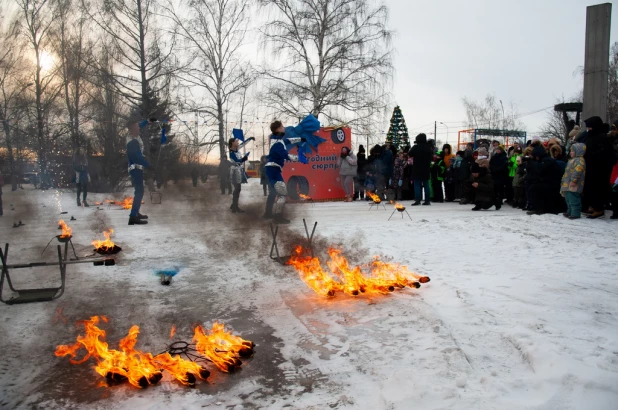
(383, 277)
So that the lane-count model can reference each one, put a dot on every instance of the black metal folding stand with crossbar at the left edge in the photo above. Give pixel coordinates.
(39, 294)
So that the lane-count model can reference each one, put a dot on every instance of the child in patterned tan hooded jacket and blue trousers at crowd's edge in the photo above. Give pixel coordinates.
(573, 181)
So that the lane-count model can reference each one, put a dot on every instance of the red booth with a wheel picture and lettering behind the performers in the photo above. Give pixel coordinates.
(319, 179)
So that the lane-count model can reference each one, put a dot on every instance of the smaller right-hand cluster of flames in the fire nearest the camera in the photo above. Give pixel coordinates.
(221, 347)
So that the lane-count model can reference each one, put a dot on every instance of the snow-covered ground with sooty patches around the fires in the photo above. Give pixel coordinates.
(521, 312)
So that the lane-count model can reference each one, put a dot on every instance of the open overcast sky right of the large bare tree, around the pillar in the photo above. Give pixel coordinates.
(523, 51)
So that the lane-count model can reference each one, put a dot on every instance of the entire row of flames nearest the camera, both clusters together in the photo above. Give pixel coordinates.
(142, 369)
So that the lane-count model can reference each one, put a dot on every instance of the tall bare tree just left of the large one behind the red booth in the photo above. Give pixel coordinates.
(213, 32)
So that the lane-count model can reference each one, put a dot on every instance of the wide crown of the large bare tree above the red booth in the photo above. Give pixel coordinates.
(332, 55)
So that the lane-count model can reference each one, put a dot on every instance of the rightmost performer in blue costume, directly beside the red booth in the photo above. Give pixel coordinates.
(277, 156)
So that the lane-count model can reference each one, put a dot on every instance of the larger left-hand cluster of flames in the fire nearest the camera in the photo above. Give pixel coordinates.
(139, 368)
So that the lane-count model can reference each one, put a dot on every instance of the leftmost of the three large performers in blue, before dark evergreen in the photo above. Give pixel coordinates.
(137, 163)
